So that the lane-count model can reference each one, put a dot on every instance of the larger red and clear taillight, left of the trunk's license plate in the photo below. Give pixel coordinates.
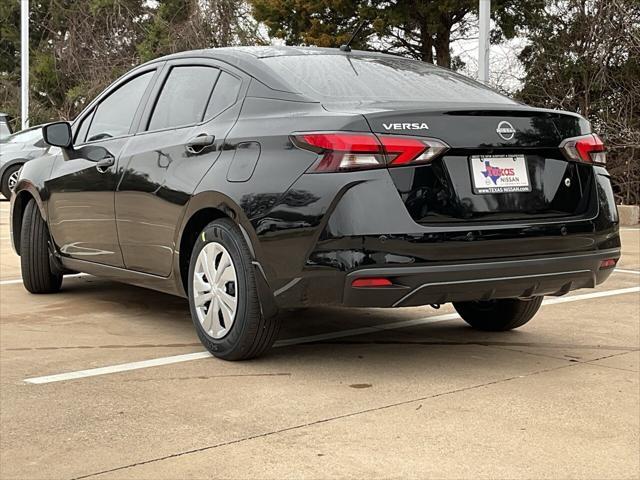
(344, 151)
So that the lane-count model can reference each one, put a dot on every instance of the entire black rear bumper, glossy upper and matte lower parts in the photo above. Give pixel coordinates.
(318, 243)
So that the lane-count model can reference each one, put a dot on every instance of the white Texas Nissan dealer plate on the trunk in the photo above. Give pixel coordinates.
(491, 174)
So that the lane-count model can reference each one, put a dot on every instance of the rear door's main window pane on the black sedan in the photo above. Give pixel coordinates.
(184, 97)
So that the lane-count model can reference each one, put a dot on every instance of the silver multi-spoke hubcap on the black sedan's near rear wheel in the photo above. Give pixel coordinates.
(215, 292)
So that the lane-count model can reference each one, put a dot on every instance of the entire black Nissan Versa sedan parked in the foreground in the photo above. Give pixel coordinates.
(255, 179)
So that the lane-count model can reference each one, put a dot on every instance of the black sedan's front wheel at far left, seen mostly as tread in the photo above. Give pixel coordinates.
(37, 274)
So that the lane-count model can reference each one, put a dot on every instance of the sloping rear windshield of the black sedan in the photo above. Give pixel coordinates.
(375, 78)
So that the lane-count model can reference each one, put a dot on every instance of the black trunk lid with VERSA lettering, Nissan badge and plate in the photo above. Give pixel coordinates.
(490, 147)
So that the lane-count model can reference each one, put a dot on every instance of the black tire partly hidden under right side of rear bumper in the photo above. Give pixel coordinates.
(498, 315)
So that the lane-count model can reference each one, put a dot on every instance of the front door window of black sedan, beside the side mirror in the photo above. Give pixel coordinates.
(114, 114)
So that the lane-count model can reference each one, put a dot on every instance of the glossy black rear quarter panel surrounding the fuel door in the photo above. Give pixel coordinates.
(269, 122)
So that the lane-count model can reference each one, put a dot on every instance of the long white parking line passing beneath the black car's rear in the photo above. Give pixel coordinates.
(125, 367)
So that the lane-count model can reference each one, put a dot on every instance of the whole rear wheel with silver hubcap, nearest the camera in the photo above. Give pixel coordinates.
(221, 253)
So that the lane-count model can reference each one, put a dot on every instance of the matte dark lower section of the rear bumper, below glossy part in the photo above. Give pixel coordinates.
(523, 278)
